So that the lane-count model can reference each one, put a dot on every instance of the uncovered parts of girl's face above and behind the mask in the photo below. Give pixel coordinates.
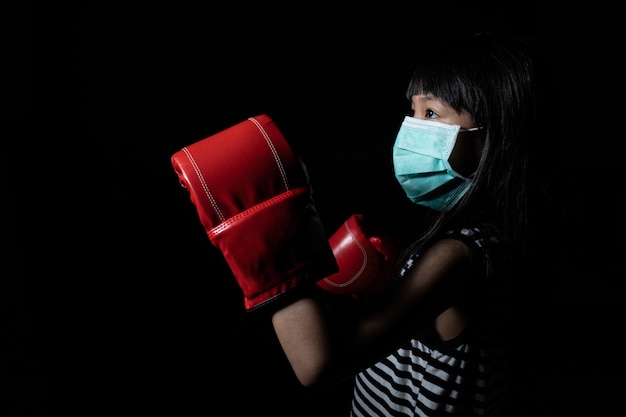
(468, 147)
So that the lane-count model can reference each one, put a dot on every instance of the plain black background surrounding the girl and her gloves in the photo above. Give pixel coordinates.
(113, 297)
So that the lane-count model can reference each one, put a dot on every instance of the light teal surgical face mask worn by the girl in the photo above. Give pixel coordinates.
(420, 159)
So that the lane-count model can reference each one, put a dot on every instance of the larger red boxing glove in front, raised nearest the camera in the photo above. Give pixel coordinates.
(253, 197)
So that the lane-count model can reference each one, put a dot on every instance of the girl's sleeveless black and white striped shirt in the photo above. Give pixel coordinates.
(464, 376)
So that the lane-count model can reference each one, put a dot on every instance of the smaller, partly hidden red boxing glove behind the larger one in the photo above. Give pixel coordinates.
(365, 260)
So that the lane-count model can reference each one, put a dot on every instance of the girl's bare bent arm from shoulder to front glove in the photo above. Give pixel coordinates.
(323, 348)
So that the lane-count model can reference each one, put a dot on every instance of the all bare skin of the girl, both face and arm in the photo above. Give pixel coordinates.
(432, 293)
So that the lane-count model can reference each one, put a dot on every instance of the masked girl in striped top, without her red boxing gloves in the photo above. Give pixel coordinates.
(438, 340)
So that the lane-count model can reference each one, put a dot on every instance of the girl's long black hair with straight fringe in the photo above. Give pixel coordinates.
(502, 81)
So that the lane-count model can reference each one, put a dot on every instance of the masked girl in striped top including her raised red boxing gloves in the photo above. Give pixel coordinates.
(443, 336)
